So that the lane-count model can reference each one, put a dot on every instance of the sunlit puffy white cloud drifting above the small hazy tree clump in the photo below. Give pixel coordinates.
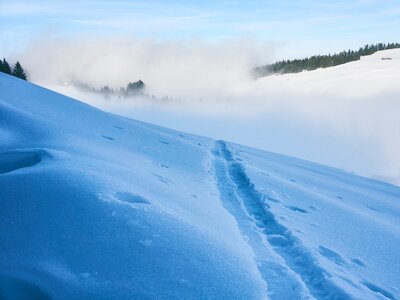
(190, 69)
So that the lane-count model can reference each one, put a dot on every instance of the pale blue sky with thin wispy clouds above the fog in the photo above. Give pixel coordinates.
(300, 27)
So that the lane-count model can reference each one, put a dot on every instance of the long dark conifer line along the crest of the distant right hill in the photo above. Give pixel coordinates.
(321, 61)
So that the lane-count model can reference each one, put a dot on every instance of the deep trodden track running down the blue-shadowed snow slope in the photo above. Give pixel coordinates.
(298, 275)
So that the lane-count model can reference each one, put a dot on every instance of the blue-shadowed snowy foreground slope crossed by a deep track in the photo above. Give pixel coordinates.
(97, 206)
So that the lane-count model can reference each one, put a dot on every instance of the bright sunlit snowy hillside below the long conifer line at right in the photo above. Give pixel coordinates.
(371, 75)
